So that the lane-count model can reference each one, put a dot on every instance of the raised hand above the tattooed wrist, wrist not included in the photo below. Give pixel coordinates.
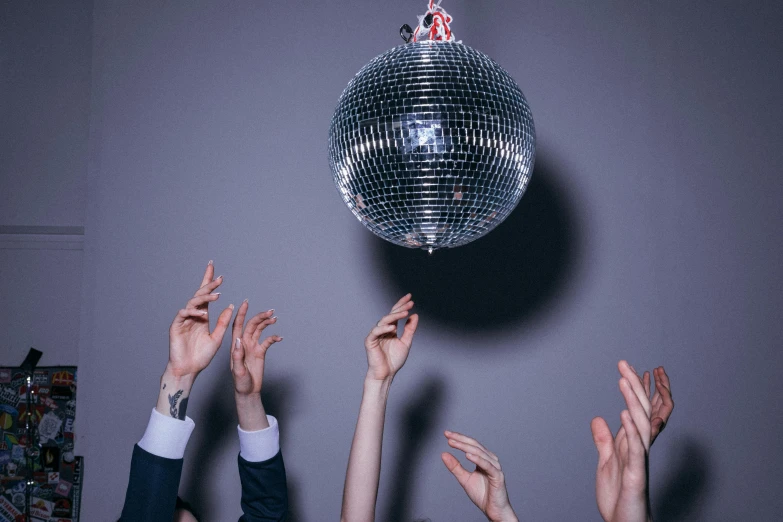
(191, 345)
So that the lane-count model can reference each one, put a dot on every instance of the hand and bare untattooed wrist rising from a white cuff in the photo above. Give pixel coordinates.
(247, 366)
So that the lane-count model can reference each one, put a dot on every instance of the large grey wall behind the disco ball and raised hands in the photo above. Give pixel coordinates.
(651, 231)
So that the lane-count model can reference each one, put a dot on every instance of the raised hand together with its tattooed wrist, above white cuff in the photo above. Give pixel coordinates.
(191, 346)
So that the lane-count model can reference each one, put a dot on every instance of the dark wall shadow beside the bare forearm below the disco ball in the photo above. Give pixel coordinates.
(419, 420)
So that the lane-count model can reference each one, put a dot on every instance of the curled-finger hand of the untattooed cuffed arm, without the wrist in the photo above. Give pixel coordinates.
(247, 354)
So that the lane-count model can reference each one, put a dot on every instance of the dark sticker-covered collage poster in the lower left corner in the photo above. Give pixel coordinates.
(57, 472)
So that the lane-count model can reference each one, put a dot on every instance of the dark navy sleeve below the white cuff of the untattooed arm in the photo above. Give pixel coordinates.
(264, 490)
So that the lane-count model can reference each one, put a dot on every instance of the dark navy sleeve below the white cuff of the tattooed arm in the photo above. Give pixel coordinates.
(152, 488)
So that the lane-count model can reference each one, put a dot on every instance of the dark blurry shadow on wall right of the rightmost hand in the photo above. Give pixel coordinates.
(686, 487)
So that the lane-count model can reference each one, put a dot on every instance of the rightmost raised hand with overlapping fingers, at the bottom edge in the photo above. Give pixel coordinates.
(621, 489)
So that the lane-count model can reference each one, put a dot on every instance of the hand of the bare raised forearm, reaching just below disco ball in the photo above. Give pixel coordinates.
(387, 353)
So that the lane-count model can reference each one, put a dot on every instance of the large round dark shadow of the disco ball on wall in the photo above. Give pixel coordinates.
(510, 276)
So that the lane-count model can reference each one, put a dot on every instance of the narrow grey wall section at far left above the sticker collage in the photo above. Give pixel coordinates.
(45, 78)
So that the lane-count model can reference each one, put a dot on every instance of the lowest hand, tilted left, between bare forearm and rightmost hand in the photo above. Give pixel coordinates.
(486, 485)
